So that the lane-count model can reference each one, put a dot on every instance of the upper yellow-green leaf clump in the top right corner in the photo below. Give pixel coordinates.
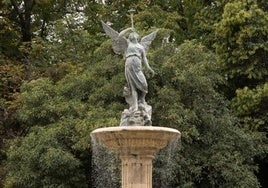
(242, 44)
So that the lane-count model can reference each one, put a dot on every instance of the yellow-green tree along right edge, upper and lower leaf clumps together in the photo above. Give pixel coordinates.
(242, 48)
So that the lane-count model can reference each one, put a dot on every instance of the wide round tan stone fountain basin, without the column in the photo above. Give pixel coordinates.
(135, 139)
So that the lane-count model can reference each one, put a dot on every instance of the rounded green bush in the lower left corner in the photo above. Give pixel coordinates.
(45, 159)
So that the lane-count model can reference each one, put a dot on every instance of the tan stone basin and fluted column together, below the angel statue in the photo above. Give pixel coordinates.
(137, 146)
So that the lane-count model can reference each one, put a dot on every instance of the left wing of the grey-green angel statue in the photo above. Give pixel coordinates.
(119, 44)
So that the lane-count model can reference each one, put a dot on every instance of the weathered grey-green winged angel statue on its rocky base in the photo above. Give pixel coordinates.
(134, 52)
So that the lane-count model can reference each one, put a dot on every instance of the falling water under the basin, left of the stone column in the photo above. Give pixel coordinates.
(106, 167)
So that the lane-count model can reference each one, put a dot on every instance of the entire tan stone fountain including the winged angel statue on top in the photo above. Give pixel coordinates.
(135, 139)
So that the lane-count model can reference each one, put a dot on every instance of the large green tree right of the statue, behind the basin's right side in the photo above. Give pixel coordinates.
(189, 102)
